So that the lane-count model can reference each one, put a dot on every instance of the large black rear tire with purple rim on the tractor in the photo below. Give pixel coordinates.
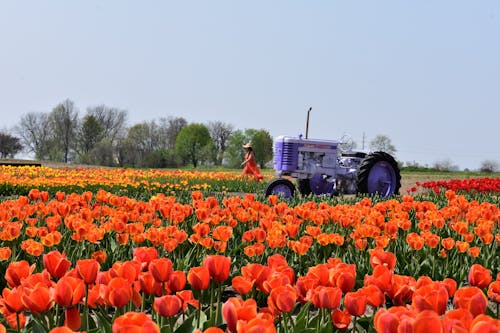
(378, 173)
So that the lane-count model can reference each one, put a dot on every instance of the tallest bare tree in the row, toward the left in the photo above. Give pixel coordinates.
(63, 123)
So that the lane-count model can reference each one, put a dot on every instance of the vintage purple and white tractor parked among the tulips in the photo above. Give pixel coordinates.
(319, 167)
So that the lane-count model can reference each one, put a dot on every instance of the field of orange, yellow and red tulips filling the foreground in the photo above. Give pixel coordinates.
(125, 250)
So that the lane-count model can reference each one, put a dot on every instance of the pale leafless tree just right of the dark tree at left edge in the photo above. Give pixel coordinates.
(34, 131)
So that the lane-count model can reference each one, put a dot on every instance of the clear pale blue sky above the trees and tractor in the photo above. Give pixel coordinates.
(426, 73)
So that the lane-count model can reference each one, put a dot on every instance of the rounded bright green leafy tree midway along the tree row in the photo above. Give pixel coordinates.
(191, 143)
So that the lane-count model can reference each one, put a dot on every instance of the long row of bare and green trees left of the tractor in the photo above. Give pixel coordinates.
(102, 137)
